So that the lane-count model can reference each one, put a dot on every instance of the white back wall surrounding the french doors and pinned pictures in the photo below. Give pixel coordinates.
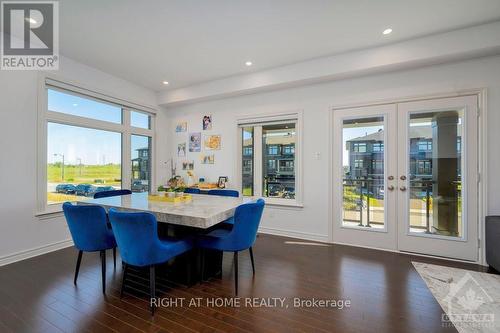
(312, 221)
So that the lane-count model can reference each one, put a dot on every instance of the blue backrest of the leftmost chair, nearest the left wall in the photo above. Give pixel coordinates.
(87, 225)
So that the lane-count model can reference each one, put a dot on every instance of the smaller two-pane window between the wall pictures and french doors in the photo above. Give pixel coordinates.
(275, 156)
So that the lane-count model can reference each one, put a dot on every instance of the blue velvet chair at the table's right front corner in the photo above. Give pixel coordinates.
(241, 237)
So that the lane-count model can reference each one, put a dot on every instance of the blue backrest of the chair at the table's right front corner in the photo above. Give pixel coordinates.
(246, 223)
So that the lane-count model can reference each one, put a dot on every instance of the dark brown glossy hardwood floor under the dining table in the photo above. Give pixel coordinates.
(385, 291)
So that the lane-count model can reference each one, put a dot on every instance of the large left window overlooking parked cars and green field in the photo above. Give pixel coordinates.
(86, 140)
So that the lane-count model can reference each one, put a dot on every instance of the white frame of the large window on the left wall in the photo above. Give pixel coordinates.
(125, 129)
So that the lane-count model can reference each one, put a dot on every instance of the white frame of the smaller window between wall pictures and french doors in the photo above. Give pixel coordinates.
(257, 122)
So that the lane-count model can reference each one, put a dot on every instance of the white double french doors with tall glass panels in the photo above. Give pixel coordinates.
(406, 177)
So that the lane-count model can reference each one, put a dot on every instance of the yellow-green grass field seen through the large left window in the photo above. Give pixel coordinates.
(109, 174)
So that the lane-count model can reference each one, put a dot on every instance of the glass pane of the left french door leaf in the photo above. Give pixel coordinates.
(363, 161)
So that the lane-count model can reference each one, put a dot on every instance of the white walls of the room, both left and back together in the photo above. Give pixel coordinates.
(21, 231)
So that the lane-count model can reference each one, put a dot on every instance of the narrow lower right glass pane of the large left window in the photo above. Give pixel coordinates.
(141, 163)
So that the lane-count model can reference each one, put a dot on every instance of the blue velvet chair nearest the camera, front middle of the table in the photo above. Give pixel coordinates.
(137, 238)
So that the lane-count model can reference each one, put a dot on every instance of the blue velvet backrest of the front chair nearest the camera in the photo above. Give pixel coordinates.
(136, 235)
